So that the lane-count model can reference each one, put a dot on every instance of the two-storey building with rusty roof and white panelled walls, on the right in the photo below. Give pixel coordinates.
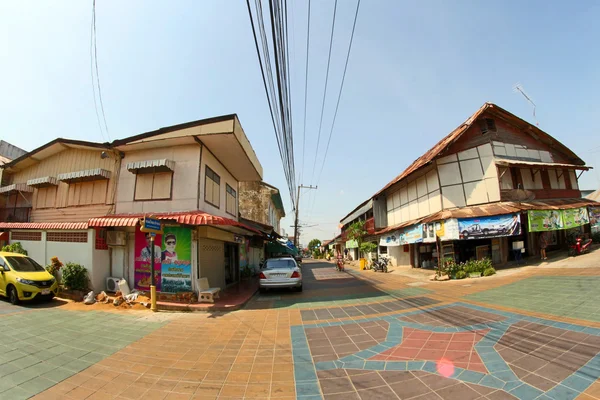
(488, 187)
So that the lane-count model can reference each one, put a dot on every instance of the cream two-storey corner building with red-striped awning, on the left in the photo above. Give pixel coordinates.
(87, 199)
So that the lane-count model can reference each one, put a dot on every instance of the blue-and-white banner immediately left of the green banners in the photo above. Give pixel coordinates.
(489, 227)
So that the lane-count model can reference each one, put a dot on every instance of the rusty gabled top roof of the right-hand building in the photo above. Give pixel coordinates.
(453, 136)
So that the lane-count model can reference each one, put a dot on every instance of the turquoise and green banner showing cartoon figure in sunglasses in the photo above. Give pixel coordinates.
(176, 257)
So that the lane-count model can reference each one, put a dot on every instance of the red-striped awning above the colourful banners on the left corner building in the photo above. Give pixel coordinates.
(186, 218)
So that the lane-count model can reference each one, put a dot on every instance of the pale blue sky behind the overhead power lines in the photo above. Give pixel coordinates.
(416, 71)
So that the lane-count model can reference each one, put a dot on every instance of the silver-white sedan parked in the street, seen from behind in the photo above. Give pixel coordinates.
(282, 272)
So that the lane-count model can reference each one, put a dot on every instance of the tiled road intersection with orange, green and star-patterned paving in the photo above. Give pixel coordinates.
(533, 334)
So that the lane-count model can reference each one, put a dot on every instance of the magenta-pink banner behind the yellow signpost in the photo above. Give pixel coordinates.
(141, 265)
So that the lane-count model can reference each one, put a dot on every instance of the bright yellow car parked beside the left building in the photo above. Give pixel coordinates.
(21, 278)
